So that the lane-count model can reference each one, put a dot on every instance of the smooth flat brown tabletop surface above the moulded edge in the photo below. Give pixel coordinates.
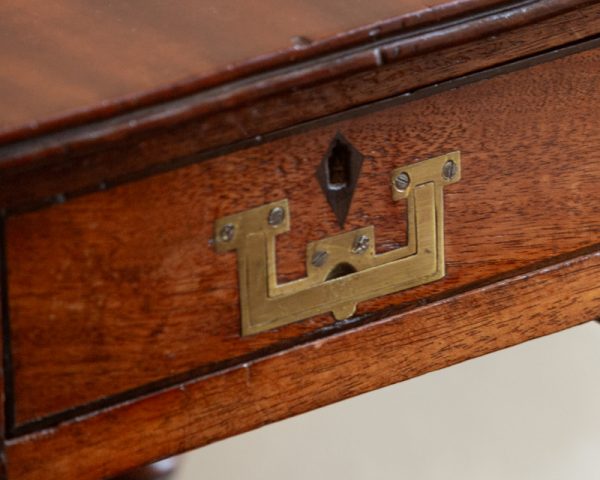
(65, 57)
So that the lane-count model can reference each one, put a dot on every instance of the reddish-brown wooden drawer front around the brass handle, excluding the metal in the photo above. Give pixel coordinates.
(122, 292)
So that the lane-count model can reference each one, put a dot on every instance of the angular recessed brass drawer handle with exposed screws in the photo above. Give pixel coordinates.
(344, 269)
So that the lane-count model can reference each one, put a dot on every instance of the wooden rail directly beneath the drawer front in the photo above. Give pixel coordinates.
(340, 366)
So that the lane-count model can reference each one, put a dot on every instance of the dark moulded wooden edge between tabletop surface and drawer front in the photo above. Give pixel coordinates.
(105, 152)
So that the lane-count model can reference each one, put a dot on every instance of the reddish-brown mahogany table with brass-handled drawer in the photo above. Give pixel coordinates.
(217, 215)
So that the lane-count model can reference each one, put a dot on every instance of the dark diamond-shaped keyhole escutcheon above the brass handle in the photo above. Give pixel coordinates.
(338, 175)
